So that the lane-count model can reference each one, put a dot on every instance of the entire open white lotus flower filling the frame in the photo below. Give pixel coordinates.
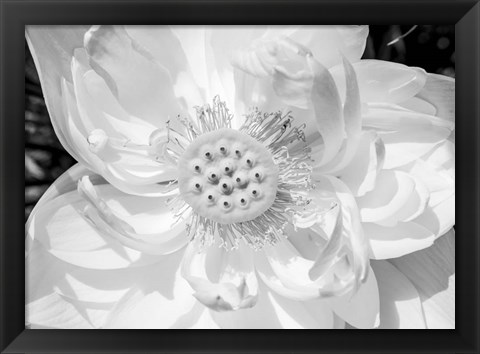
(241, 178)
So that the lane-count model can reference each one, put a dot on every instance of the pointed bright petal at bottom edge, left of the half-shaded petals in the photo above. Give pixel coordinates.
(361, 309)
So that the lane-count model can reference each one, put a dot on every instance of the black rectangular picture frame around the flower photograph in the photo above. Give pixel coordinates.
(15, 14)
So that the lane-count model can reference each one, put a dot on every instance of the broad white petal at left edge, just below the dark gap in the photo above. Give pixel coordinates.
(60, 225)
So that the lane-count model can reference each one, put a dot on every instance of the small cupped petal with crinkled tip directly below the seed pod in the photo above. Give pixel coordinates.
(229, 285)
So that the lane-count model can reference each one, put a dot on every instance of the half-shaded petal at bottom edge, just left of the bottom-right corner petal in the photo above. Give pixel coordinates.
(400, 306)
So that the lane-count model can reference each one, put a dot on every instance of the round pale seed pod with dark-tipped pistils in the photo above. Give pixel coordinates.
(228, 176)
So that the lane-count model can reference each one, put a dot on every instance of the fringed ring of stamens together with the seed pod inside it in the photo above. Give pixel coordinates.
(240, 184)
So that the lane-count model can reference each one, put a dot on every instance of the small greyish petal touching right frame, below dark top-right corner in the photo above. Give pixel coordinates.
(439, 91)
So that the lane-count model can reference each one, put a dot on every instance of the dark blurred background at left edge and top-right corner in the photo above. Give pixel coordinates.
(428, 46)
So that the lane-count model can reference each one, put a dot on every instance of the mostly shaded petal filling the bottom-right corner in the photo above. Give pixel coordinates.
(432, 271)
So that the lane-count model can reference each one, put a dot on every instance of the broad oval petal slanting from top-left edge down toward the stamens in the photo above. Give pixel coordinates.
(143, 87)
